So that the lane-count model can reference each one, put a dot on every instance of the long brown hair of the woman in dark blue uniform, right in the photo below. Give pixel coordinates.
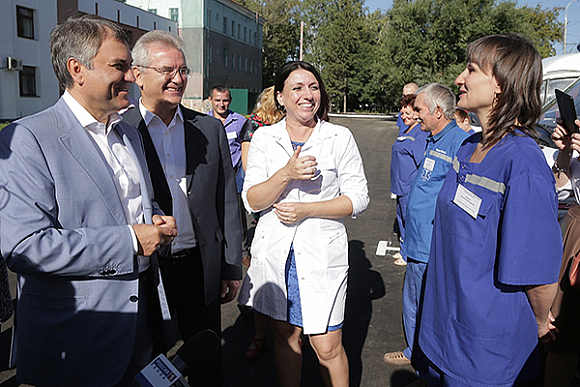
(517, 67)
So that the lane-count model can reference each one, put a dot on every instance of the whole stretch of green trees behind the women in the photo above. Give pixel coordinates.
(365, 58)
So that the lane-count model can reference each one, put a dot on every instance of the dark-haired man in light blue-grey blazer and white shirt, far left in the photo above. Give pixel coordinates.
(78, 222)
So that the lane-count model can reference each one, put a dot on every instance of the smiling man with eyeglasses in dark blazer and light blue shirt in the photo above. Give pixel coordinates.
(189, 161)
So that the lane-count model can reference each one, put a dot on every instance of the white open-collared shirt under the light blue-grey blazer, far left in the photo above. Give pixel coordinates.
(124, 168)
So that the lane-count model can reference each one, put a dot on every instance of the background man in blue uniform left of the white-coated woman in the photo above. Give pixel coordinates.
(221, 98)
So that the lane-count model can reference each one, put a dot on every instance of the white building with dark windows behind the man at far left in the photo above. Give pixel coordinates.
(27, 81)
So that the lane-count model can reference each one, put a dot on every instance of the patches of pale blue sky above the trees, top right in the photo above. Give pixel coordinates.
(573, 16)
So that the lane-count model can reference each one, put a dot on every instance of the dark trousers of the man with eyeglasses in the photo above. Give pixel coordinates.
(184, 282)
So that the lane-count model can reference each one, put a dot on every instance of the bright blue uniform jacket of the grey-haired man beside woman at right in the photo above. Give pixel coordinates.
(435, 165)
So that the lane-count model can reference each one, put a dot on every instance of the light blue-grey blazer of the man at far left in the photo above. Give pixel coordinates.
(64, 232)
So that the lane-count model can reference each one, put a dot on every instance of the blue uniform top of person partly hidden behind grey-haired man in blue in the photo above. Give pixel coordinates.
(406, 155)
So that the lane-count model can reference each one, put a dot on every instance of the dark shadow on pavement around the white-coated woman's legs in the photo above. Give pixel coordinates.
(364, 286)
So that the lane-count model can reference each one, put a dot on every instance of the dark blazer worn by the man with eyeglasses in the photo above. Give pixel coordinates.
(211, 191)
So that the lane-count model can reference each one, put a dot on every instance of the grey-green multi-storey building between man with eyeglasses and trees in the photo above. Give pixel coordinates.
(223, 44)
